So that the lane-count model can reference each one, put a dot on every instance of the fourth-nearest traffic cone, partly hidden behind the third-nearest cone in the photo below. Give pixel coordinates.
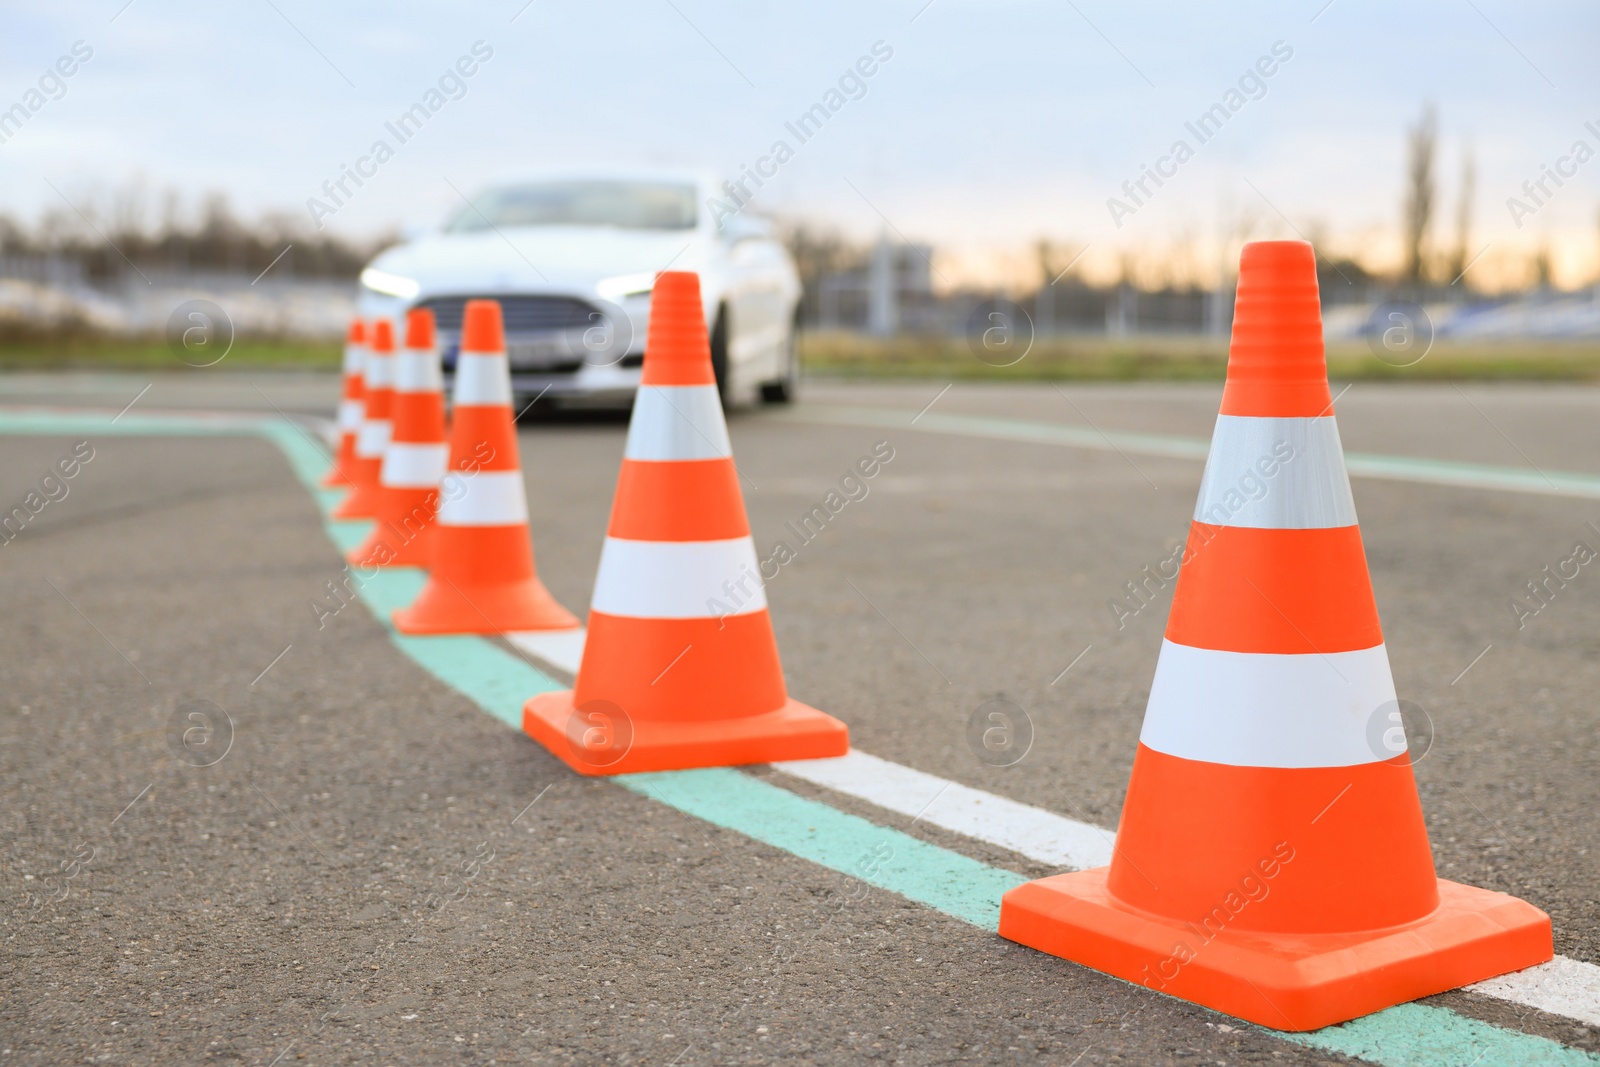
(415, 462)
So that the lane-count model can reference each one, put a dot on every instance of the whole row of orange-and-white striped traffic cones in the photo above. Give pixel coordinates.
(1271, 861)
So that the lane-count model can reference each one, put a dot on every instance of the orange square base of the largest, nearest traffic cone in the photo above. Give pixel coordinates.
(1281, 981)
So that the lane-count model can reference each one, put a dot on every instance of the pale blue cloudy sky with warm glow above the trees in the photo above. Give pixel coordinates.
(983, 129)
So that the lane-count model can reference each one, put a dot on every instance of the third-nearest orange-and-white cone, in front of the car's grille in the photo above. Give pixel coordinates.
(482, 578)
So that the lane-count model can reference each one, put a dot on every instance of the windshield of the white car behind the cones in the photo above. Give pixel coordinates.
(633, 206)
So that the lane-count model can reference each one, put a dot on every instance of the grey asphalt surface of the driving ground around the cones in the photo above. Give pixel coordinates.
(361, 876)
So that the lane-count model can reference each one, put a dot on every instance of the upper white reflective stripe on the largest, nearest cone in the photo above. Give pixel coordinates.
(1276, 474)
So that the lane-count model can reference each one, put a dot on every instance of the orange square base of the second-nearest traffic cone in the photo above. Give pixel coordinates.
(794, 732)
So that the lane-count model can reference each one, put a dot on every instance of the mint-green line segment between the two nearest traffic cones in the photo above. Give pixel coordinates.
(890, 860)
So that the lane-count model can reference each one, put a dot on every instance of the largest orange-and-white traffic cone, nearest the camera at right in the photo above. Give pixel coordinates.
(1273, 860)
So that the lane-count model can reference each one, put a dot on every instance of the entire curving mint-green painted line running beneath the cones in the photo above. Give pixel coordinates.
(1410, 1036)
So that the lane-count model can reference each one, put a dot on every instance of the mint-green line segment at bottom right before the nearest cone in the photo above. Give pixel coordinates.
(1417, 1036)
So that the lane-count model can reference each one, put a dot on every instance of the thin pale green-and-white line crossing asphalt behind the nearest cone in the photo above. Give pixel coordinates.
(1358, 465)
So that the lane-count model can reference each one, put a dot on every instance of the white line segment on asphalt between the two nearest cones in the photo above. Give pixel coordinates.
(1034, 833)
